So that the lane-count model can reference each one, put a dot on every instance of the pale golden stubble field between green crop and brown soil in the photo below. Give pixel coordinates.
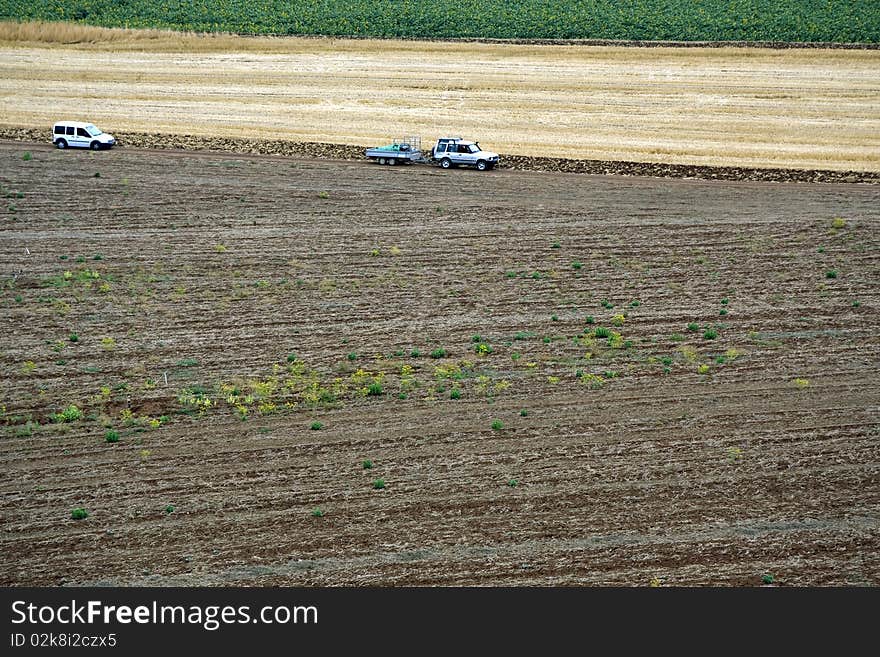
(797, 108)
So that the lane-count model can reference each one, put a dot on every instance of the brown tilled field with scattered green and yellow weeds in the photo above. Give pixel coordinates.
(217, 267)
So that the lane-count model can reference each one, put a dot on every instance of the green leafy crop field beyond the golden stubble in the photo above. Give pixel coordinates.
(842, 21)
